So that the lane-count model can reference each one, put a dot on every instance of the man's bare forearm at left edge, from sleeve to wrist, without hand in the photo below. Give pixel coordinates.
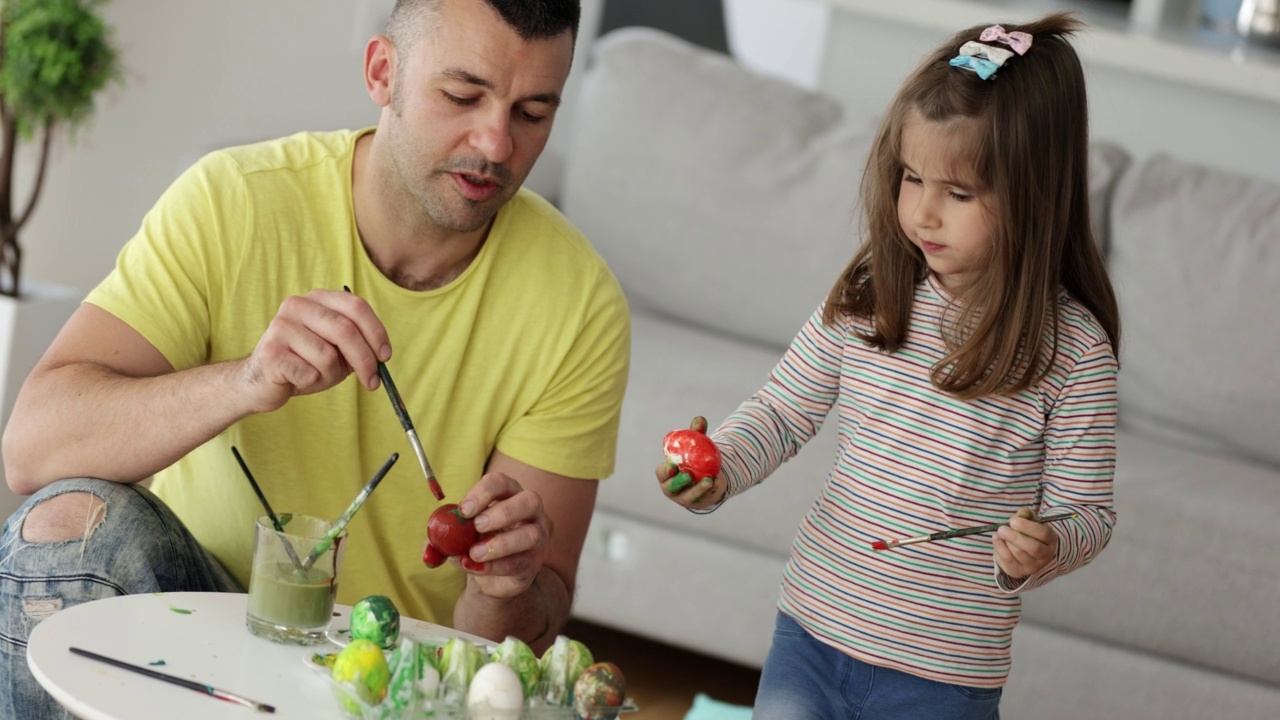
(106, 403)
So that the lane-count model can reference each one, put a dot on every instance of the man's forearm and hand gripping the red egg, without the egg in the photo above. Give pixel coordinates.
(529, 593)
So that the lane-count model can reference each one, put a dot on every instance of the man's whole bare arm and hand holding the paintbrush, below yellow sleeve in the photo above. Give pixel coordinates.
(104, 403)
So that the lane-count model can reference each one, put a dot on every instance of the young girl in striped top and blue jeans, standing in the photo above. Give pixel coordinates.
(970, 349)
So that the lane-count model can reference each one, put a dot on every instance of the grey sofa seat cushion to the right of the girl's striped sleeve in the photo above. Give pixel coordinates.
(1188, 573)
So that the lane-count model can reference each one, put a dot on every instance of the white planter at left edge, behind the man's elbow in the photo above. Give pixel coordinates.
(28, 327)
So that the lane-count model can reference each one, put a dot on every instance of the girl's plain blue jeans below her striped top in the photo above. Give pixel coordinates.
(806, 680)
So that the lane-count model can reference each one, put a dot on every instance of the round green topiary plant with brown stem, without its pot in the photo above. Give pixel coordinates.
(56, 56)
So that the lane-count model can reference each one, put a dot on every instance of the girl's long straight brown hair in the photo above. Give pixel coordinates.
(1032, 152)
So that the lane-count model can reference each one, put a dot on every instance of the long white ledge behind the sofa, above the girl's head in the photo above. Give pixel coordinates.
(1204, 58)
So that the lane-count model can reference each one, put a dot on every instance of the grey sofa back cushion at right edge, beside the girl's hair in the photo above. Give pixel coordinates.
(1196, 263)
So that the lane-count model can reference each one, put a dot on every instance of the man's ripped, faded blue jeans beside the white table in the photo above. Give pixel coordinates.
(134, 545)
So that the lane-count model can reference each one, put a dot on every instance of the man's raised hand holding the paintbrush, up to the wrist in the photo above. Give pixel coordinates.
(313, 344)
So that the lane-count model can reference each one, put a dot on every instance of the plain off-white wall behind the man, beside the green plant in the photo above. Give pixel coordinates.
(202, 75)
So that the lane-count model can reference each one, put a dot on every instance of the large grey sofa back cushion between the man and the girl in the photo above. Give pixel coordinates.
(702, 183)
